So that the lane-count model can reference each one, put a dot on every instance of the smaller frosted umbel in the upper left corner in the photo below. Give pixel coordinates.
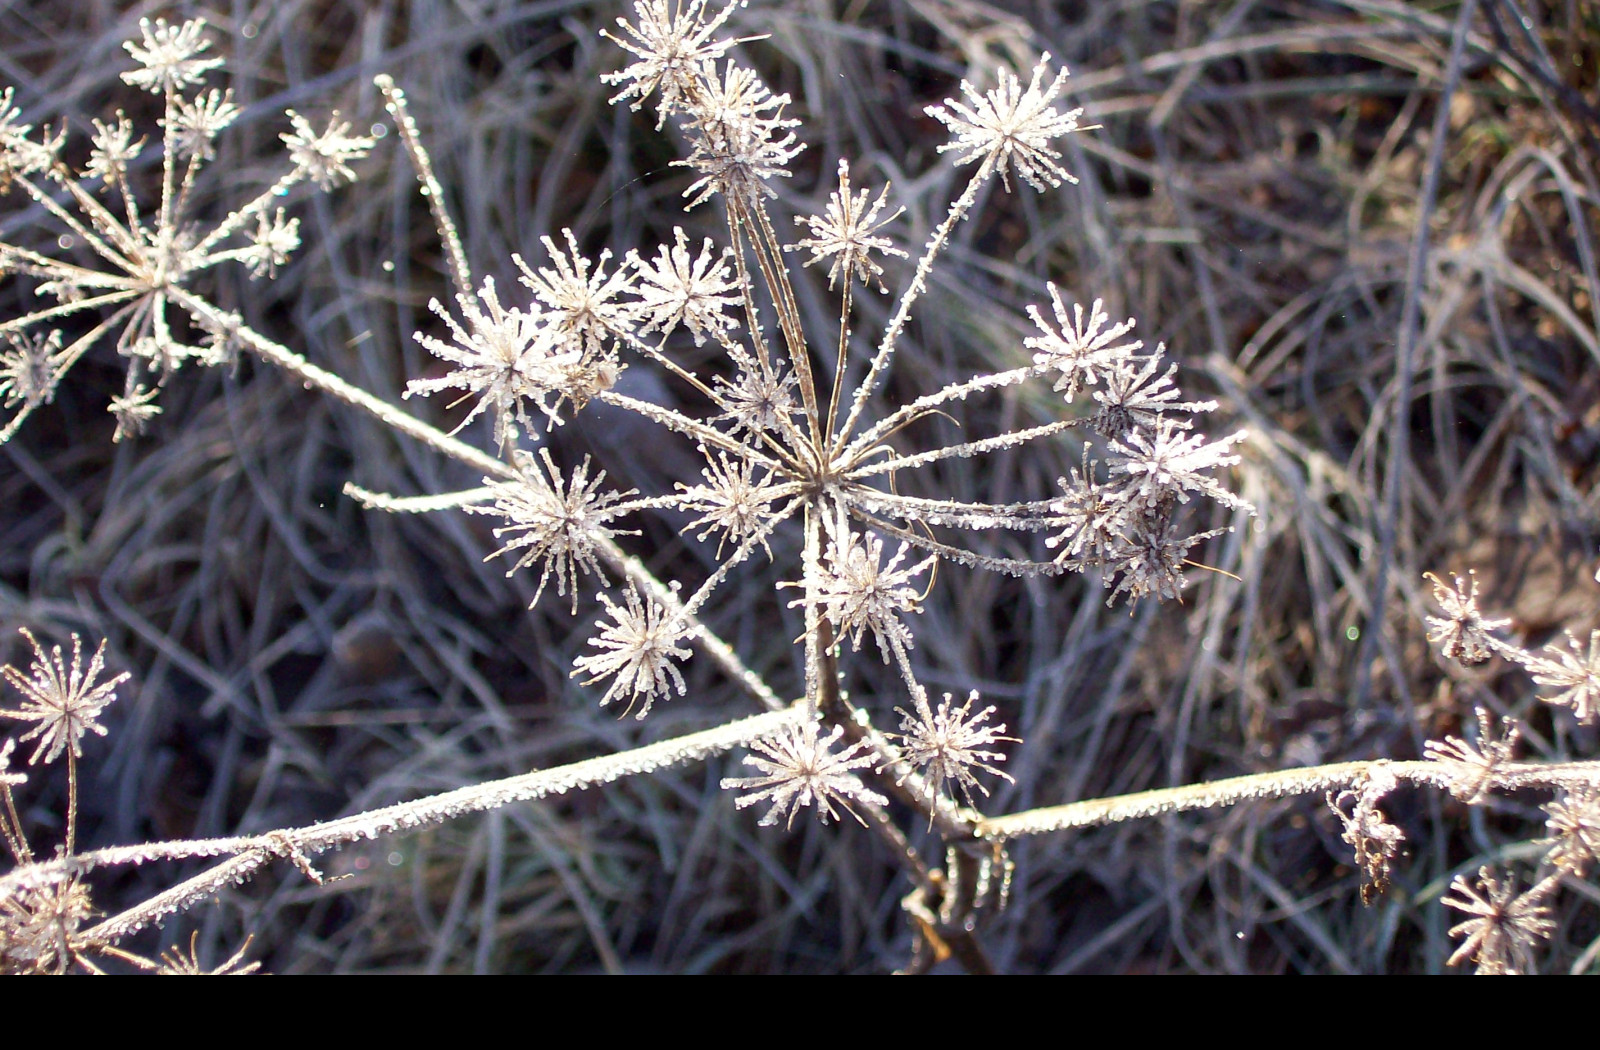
(143, 262)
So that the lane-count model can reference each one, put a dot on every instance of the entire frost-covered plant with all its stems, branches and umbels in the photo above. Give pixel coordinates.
(796, 443)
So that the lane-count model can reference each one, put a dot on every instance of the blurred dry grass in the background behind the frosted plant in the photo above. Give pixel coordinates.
(1252, 198)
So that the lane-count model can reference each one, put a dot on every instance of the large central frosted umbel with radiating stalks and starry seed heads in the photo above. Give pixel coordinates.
(786, 430)
